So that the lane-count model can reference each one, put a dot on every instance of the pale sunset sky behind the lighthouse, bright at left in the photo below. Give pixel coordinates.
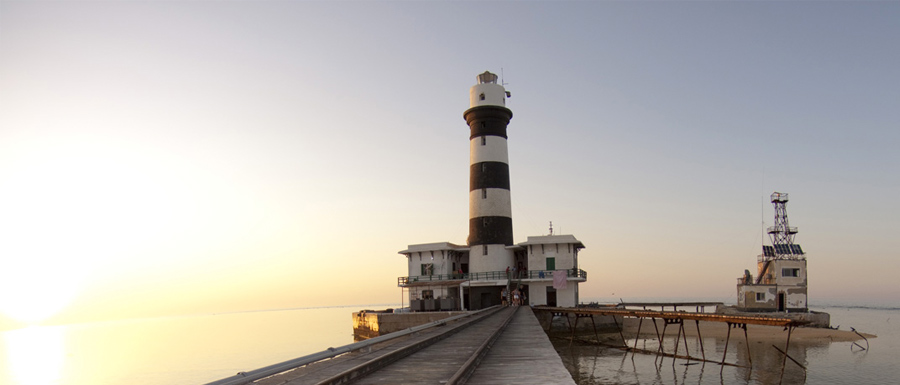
(169, 157)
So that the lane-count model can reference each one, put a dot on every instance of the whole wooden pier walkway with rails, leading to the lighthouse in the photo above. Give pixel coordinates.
(516, 351)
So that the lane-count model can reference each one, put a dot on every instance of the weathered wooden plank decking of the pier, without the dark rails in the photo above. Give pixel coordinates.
(521, 355)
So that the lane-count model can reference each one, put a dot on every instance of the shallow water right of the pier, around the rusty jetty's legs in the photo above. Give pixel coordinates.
(826, 362)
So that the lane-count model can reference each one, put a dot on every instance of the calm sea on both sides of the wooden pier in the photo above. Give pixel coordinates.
(199, 349)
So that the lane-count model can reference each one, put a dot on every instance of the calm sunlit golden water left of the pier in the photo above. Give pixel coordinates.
(170, 350)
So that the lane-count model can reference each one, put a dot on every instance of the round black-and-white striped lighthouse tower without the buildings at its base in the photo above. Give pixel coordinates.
(490, 208)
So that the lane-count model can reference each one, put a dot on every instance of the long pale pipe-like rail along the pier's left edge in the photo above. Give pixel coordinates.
(253, 375)
